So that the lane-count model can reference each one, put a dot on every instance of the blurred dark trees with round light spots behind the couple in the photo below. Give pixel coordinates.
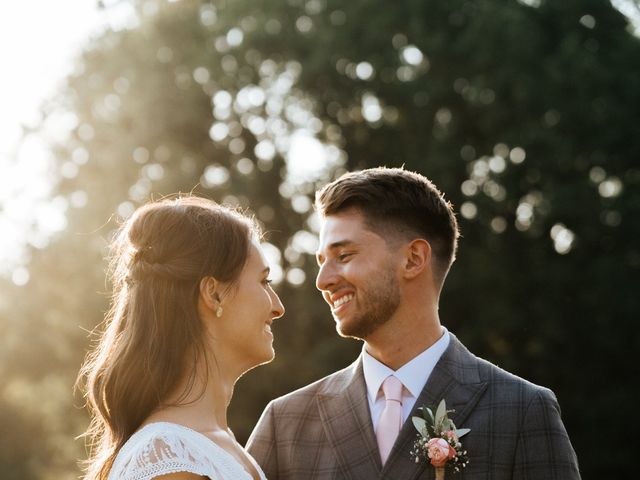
(524, 112)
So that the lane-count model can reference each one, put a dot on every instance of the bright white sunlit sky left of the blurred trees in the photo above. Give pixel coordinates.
(33, 71)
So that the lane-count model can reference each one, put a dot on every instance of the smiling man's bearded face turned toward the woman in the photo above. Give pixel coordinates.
(358, 275)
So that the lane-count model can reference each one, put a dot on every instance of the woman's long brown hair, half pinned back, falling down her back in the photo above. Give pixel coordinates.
(152, 334)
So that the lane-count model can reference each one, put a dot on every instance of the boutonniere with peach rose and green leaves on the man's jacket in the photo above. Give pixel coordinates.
(438, 440)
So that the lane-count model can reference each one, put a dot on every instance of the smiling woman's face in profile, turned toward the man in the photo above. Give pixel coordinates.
(243, 331)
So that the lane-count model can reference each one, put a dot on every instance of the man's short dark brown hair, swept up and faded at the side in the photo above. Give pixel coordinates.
(396, 204)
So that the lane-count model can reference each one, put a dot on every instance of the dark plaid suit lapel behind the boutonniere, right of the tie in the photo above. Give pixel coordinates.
(454, 378)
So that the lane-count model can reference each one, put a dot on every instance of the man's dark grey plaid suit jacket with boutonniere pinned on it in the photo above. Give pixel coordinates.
(323, 431)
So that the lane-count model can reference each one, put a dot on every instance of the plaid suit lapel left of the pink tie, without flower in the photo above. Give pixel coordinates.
(344, 412)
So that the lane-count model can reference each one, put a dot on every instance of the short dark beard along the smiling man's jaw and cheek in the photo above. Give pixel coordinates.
(377, 300)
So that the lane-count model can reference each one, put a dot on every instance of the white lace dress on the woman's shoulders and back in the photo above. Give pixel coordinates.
(162, 448)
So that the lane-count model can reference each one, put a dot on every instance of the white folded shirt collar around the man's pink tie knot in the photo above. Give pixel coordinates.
(413, 374)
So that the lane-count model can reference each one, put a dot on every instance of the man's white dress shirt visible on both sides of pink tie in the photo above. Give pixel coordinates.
(413, 375)
